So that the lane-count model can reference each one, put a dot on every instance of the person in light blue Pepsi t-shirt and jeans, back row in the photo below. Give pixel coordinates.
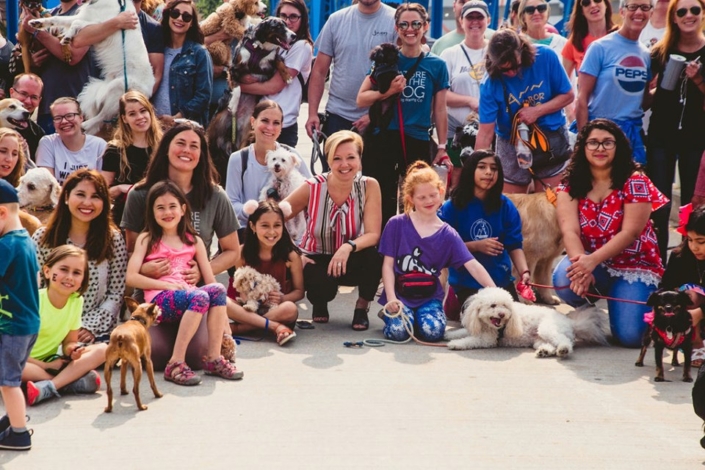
(614, 76)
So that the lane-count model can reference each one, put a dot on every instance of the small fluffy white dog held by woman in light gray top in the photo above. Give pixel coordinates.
(284, 166)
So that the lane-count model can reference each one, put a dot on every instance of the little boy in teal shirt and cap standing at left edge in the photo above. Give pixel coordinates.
(19, 316)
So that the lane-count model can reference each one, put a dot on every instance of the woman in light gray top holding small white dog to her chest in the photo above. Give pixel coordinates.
(247, 168)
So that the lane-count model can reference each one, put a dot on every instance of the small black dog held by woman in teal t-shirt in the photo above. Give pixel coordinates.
(385, 68)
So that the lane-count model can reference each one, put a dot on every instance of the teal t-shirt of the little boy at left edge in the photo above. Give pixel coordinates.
(19, 292)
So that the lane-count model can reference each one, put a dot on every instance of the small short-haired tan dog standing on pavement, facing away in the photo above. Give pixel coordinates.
(130, 342)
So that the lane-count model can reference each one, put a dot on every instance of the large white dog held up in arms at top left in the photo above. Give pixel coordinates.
(99, 98)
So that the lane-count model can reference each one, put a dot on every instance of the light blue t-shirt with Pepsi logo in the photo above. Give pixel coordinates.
(622, 70)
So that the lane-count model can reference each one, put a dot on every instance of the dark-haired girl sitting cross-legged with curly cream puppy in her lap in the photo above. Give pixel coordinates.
(269, 249)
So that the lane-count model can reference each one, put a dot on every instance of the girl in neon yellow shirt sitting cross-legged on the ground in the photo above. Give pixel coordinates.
(60, 306)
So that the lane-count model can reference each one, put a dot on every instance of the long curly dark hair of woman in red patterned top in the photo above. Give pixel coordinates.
(578, 171)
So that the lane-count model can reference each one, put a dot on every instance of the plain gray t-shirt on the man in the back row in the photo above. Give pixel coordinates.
(348, 37)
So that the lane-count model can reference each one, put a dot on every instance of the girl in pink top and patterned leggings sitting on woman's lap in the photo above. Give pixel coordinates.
(169, 234)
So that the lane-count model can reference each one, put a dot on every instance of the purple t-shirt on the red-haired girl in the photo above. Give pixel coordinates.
(429, 255)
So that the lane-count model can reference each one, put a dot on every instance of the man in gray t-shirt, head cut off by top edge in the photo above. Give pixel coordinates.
(346, 41)
